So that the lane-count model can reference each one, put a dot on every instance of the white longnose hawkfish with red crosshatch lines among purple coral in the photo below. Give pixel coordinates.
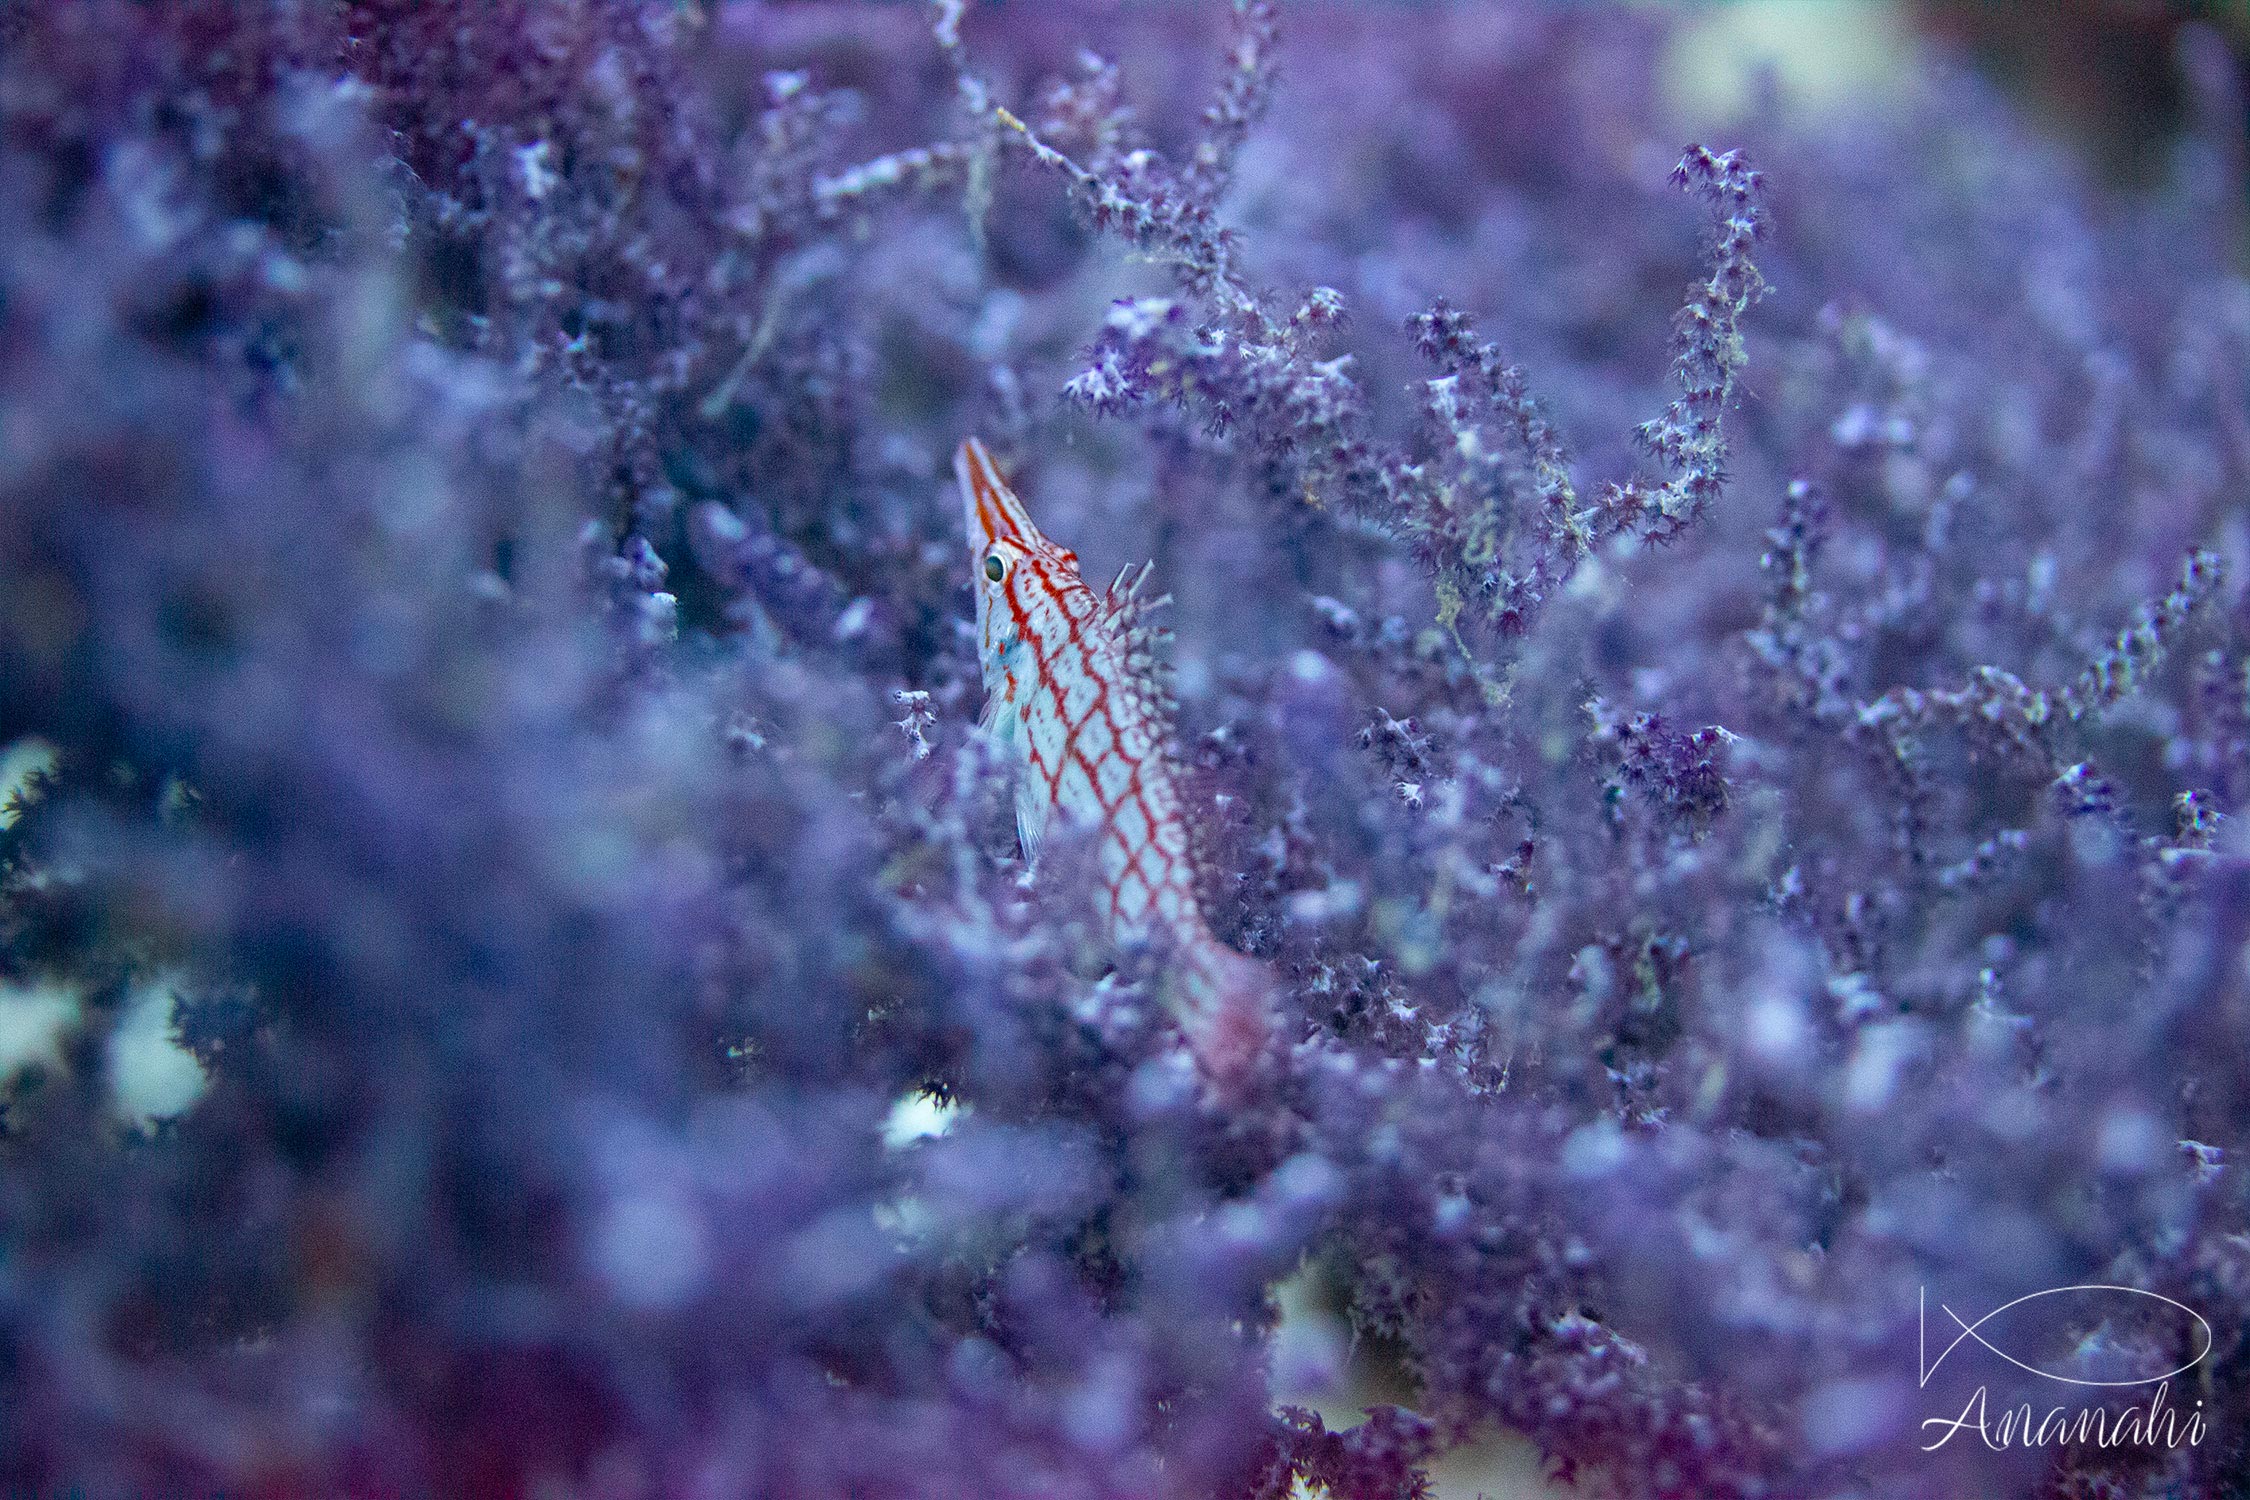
(1074, 703)
